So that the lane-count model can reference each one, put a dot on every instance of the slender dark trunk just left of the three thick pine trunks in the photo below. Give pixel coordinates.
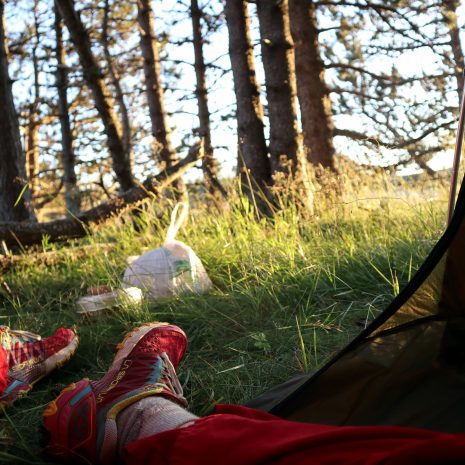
(209, 165)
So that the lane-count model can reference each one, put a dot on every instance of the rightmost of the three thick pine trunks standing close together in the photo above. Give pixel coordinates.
(315, 104)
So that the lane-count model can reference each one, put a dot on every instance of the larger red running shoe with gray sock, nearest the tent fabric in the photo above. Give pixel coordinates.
(81, 422)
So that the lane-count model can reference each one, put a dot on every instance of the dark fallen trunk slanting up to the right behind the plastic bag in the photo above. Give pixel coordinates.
(22, 233)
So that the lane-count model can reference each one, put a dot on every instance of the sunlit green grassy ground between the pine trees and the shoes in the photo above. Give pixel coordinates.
(288, 293)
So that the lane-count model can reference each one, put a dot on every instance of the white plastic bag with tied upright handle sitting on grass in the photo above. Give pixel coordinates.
(168, 270)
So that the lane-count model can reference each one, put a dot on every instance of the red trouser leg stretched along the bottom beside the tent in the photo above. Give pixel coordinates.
(241, 436)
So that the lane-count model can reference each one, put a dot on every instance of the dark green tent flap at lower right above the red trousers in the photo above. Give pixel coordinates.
(407, 367)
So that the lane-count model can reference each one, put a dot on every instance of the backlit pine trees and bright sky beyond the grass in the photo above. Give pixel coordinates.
(100, 95)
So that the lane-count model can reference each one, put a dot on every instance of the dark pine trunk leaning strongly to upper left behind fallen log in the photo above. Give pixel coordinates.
(94, 79)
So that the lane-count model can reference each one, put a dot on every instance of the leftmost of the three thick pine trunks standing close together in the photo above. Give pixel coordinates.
(253, 163)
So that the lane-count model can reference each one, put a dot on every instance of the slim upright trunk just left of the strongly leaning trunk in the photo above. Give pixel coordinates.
(72, 196)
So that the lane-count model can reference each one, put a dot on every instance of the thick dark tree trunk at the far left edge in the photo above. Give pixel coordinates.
(12, 172)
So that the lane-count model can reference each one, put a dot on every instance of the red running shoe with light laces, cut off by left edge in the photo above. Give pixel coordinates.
(30, 358)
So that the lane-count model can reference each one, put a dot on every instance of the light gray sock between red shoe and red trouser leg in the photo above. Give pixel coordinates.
(149, 416)
